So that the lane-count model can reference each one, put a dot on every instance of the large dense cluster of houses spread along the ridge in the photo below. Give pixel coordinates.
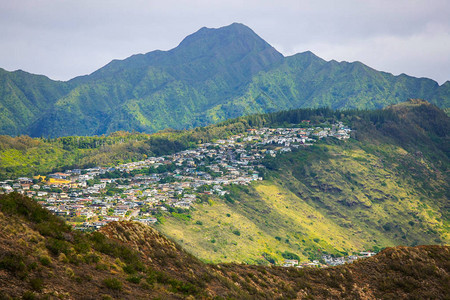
(93, 197)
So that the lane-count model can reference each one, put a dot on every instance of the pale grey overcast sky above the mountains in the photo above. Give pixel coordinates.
(66, 38)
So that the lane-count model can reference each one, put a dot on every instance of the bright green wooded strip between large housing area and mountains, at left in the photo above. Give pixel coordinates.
(25, 156)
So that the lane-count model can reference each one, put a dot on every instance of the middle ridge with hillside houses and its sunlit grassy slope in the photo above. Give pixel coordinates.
(268, 193)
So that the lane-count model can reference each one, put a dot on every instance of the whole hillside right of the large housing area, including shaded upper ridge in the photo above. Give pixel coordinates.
(387, 186)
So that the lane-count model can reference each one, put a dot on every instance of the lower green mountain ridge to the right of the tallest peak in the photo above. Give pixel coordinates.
(304, 80)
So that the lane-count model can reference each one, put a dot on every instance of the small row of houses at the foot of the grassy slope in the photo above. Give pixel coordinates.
(328, 261)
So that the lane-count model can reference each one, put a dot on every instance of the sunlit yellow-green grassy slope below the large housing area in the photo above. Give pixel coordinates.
(350, 205)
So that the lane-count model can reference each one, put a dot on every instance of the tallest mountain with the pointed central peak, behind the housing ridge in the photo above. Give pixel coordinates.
(162, 89)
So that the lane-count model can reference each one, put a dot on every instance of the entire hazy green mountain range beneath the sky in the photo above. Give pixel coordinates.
(213, 75)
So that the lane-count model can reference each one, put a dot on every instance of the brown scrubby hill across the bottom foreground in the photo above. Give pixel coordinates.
(41, 257)
